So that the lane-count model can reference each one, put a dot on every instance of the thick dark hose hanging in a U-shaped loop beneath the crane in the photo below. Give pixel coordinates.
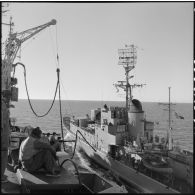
(19, 63)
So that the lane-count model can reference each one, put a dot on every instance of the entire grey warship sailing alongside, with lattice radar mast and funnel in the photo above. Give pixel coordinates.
(118, 136)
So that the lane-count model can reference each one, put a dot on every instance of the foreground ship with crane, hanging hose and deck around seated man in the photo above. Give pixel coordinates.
(71, 180)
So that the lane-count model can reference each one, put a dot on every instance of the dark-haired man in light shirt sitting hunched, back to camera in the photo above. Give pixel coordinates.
(35, 154)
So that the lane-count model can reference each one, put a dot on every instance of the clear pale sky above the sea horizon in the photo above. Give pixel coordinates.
(87, 37)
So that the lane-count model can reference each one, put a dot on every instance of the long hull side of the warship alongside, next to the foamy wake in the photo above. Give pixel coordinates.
(140, 182)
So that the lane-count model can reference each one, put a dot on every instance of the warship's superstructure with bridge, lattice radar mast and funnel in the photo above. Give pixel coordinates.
(119, 125)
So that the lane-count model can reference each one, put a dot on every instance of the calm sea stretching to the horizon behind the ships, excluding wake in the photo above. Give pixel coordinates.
(182, 129)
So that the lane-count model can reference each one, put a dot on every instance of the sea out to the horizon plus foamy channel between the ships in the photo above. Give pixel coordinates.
(182, 129)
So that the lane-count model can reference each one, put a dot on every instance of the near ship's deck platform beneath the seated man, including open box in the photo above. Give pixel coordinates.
(69, 180)
